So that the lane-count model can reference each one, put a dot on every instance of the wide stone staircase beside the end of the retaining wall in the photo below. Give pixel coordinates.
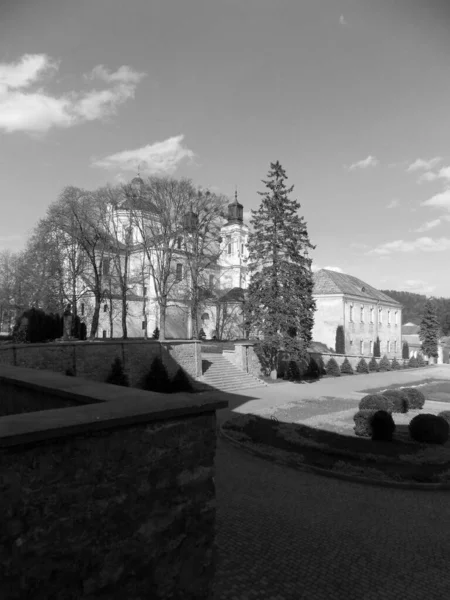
(221, 374)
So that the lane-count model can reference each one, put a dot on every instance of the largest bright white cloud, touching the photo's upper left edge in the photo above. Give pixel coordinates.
(33, 109)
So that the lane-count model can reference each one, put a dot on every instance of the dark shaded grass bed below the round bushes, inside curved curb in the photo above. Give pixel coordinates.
(399, 460)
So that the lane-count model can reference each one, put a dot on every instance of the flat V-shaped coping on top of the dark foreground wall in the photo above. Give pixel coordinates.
(114, 406)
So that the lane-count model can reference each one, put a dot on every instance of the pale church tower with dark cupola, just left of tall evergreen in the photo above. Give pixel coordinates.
(234, 255)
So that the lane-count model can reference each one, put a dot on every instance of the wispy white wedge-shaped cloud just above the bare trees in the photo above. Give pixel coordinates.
(160, 157)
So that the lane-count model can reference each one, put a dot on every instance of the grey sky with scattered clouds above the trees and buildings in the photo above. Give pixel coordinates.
(351, 96)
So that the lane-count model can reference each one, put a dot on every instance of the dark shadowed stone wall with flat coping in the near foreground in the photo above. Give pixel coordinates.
(110, 498)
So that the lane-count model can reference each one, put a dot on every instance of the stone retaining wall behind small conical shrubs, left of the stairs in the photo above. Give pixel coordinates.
(92, 359)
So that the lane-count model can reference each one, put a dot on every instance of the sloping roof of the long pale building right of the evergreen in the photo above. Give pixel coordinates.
(332, 282)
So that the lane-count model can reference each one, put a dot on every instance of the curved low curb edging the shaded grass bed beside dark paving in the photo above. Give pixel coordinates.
(266, 455)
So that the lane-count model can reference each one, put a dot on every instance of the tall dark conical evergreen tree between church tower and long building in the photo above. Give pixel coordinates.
(280, 303)
